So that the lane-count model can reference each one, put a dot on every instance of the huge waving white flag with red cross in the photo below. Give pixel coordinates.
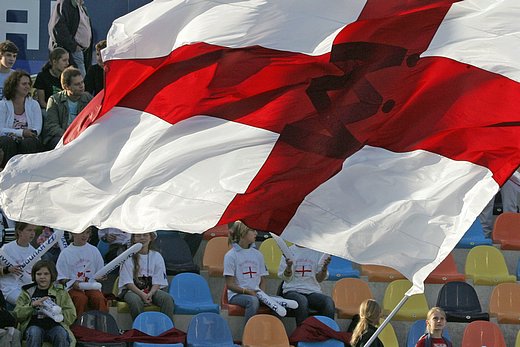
(374, 130)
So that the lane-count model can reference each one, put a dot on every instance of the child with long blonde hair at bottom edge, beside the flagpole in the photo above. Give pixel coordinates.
(369, 314)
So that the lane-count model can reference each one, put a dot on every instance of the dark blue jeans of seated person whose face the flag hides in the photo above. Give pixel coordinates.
(316, 301)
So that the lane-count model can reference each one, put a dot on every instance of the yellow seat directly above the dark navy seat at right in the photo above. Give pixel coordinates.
(485, 265)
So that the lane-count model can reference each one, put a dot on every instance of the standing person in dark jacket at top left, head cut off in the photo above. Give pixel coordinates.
(70, 28)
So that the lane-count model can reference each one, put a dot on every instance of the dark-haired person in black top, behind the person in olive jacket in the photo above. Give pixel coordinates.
(48, 80)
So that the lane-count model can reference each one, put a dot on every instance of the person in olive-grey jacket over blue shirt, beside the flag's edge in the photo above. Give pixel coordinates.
(64, 106)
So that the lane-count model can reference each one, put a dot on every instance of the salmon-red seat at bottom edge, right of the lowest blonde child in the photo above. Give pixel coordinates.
(483, 333)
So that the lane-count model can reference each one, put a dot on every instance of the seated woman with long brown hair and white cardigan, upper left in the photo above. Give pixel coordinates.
(20, 118)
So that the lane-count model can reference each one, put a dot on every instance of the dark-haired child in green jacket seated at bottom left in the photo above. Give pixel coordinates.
(36, 326)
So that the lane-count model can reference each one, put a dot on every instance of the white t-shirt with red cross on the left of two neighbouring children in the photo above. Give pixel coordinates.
(246, 265)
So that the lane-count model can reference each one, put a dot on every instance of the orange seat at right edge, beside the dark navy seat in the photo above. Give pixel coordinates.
(504, 303)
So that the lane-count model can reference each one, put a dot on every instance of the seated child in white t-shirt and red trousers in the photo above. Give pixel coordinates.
(78, 263)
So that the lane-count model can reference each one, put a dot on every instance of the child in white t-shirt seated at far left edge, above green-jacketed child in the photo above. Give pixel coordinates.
(11, 280)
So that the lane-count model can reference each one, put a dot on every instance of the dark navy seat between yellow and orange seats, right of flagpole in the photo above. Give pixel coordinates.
(460, 302)
